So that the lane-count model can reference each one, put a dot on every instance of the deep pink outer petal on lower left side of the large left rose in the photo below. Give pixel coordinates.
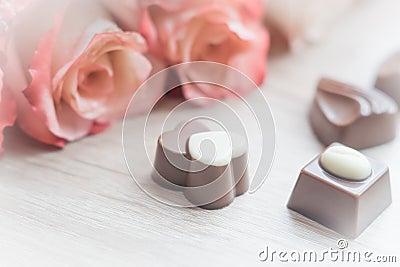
(39, 95)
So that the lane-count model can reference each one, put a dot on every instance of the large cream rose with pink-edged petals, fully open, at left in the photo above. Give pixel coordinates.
(74, 71)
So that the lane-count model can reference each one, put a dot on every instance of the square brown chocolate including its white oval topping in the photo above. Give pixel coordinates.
(342, 190)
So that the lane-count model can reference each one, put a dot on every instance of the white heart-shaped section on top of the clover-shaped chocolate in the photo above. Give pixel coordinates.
(211, 148)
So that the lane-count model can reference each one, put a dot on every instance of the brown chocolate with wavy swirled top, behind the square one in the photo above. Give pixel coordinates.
(352, 116)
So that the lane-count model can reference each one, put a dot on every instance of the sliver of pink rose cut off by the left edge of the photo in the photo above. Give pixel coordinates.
(7, 109)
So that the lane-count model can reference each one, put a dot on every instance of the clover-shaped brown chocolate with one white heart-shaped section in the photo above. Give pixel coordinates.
(210, 167)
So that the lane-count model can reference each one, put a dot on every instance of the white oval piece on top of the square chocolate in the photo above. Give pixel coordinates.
(345, 162)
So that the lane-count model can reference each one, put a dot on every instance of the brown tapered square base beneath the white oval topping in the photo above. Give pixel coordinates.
(343, 206)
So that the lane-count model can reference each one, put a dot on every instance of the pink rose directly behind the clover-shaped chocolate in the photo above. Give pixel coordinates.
(227, 32)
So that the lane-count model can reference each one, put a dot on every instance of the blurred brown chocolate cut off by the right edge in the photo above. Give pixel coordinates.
(388, 79)
